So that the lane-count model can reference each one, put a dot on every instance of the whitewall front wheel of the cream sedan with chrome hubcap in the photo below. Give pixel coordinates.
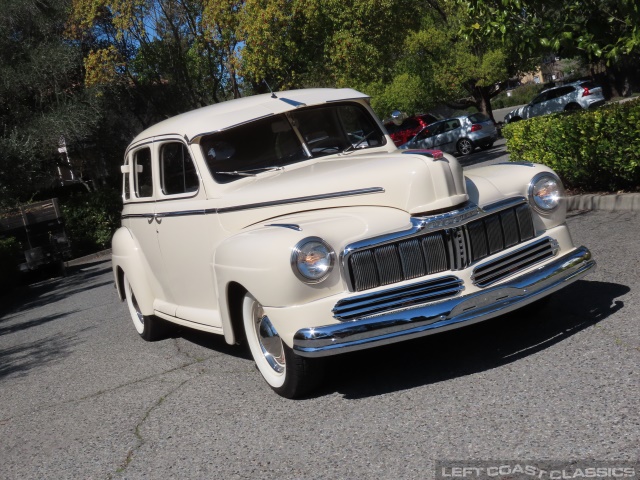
(287, 373)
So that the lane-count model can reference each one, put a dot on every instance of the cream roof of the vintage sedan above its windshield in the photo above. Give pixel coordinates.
(221, 116)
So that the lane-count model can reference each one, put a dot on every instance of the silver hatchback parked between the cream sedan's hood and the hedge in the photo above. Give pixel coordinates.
(460, 134)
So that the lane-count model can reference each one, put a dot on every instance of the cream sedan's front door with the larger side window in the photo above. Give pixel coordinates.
(187, 228)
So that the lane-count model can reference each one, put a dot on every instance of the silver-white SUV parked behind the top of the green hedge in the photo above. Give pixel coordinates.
(573, 96)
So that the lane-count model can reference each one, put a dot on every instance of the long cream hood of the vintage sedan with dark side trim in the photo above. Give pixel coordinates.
(407, 181)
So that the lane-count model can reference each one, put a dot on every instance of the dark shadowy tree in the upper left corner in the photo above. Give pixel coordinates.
(41, 95)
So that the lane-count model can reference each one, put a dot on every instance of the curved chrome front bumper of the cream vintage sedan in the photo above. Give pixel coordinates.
(414, 322)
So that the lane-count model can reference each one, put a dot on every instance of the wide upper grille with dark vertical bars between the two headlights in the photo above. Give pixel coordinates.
(430, 253)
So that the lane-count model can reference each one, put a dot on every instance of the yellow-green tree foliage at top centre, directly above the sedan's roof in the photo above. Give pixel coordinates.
(303, 43)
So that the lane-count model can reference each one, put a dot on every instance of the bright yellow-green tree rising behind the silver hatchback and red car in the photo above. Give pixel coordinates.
(451, 63)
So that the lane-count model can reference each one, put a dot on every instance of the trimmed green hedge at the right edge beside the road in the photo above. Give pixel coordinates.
(596, 150)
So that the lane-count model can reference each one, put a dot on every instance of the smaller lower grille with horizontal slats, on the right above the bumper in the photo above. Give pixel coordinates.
(501, 267)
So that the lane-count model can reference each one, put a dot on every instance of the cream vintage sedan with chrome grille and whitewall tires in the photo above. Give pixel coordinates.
(292, 222)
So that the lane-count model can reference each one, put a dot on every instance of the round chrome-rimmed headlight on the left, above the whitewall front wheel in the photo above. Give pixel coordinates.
(312, 260)
